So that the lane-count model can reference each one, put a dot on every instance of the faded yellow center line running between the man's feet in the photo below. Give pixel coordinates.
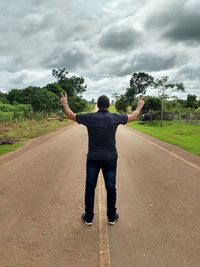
(103, 228)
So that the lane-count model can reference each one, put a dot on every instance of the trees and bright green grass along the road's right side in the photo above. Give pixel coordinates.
(165, 116)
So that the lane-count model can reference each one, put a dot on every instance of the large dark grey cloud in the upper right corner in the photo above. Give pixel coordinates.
(177, 21)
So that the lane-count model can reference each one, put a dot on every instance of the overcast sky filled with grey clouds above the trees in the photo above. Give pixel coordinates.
(105, 41)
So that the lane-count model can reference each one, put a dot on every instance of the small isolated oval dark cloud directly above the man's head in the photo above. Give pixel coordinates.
(119, 38)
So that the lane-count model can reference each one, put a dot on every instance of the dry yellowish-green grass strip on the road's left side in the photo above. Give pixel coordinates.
(24, 131)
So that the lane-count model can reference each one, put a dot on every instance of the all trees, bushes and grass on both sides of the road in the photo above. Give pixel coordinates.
(33, 111)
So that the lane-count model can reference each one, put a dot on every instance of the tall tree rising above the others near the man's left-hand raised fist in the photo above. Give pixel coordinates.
(71, 85)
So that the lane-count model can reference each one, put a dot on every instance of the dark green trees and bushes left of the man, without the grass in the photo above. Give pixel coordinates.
(44, 100)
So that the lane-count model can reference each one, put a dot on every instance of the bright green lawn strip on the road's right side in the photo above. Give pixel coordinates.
(180, 134)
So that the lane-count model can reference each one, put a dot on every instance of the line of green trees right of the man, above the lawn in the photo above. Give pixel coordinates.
(165, 101)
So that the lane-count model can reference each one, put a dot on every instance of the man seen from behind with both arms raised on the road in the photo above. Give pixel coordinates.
(102, 153)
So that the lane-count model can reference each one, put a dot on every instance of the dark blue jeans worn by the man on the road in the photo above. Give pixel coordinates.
(109, 168)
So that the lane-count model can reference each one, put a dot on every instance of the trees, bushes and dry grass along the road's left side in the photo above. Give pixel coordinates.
(33, 111)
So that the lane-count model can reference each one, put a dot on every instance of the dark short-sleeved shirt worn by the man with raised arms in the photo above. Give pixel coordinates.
(102, 126)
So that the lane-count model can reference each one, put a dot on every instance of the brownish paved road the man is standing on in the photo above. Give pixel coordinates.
(42, 198)
